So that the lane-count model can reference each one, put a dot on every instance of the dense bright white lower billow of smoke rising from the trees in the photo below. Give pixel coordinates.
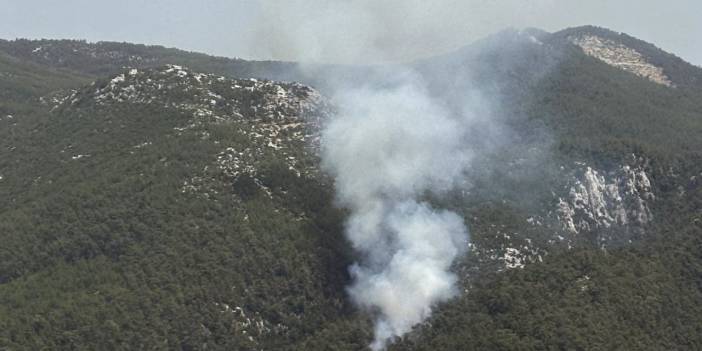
(415, 274)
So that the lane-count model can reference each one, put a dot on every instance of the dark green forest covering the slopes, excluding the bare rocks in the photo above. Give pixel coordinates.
(101, 247)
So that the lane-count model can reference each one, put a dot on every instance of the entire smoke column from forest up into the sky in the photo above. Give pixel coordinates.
(390, 145)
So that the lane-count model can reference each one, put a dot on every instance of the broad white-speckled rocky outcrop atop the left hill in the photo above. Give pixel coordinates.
(272, 119)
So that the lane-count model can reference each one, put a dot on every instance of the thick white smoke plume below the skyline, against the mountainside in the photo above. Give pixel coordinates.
(386, 148)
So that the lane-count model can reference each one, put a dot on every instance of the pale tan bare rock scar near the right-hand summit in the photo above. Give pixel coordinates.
(620, 56)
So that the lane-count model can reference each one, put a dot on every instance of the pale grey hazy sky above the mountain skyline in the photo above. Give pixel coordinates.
(296, 29)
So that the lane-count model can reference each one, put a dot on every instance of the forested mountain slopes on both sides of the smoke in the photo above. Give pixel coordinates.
(159, 199)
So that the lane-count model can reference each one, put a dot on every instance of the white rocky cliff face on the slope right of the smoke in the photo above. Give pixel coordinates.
(596, 201)
